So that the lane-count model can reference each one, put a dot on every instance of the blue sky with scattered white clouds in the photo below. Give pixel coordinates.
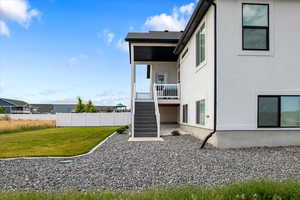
(57, 50)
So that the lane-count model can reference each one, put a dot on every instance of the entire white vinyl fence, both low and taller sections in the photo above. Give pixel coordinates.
(78, 119)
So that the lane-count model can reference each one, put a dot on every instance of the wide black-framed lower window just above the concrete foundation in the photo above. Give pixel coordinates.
(279, 111)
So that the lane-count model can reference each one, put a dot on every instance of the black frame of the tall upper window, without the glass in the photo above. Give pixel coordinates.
(267, 28)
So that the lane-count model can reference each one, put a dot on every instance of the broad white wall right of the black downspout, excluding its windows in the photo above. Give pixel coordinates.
(242, 76)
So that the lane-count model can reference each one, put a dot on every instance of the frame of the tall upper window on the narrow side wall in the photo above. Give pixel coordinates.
(199, 62)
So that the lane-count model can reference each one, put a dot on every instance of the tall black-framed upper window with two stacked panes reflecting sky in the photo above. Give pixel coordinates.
(255, 20)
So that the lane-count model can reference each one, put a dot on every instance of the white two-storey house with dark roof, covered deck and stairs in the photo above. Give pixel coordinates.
(231, 77)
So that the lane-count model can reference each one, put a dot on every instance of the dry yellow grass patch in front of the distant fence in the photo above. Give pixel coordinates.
(12, 126)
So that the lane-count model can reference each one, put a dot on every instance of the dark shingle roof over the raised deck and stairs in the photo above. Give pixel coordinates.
(154, 36)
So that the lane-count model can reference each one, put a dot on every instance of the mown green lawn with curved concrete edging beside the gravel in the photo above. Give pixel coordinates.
(52, 141)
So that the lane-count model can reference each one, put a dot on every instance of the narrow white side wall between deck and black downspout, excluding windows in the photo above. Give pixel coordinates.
(197, 83)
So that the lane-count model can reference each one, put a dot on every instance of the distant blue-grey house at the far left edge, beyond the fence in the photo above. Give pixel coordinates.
(13, 106)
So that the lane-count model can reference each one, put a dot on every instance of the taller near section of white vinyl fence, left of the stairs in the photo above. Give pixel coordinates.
(93, 119)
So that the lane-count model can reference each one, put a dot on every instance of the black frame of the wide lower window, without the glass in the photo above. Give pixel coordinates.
(279, 111)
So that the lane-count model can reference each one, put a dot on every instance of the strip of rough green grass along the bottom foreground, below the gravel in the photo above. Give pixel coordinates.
(253, 190)
